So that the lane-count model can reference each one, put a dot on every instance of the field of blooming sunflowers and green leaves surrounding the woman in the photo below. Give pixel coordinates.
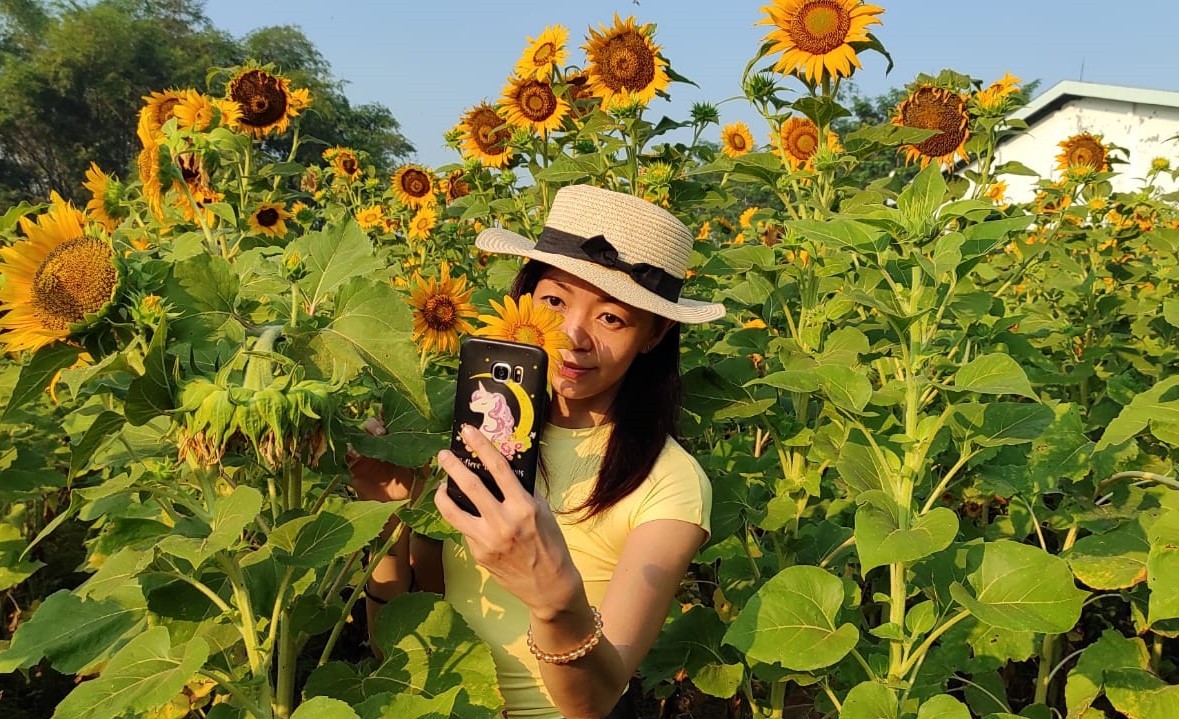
(941, 424)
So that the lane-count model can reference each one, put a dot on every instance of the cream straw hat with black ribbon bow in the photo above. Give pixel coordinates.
(628, 248)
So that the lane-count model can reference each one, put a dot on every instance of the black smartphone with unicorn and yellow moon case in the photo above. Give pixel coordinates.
(503, 391)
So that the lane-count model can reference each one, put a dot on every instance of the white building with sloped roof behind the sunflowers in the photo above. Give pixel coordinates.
(1143, 122)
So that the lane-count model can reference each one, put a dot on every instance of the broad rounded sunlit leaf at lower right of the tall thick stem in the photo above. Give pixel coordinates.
(1023, 589)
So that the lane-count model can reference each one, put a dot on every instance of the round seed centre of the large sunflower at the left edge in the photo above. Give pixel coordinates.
(75, 280)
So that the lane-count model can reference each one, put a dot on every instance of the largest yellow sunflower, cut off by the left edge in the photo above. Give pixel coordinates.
(57, 281)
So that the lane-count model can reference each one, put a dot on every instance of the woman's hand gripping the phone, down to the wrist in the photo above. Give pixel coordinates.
(518, 540)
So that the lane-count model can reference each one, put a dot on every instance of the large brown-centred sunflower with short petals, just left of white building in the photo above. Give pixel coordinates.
(930, 108)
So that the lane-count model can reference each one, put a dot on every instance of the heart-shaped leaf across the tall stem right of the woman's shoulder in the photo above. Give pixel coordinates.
(881, 542)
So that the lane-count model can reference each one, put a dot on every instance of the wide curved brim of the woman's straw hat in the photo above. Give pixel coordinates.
(616, 283)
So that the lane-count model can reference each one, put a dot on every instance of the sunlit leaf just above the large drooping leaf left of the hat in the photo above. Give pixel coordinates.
(333, 256)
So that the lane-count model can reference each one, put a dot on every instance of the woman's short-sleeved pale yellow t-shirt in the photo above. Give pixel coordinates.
(677, 489)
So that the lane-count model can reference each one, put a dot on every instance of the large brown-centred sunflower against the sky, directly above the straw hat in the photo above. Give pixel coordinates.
(624, 62)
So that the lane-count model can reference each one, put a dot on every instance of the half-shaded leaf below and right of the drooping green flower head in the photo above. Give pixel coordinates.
(314, 542)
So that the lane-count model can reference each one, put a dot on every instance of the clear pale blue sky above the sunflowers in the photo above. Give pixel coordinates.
(429, 61)
